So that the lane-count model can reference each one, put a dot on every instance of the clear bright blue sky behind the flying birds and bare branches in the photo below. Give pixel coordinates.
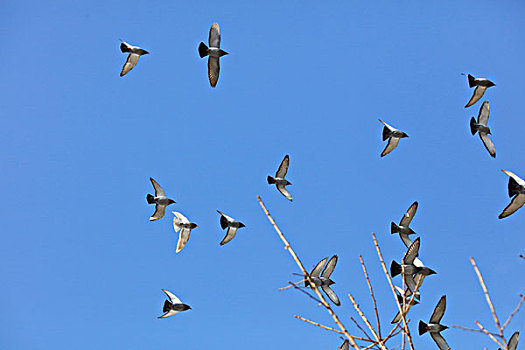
(83, 267)
